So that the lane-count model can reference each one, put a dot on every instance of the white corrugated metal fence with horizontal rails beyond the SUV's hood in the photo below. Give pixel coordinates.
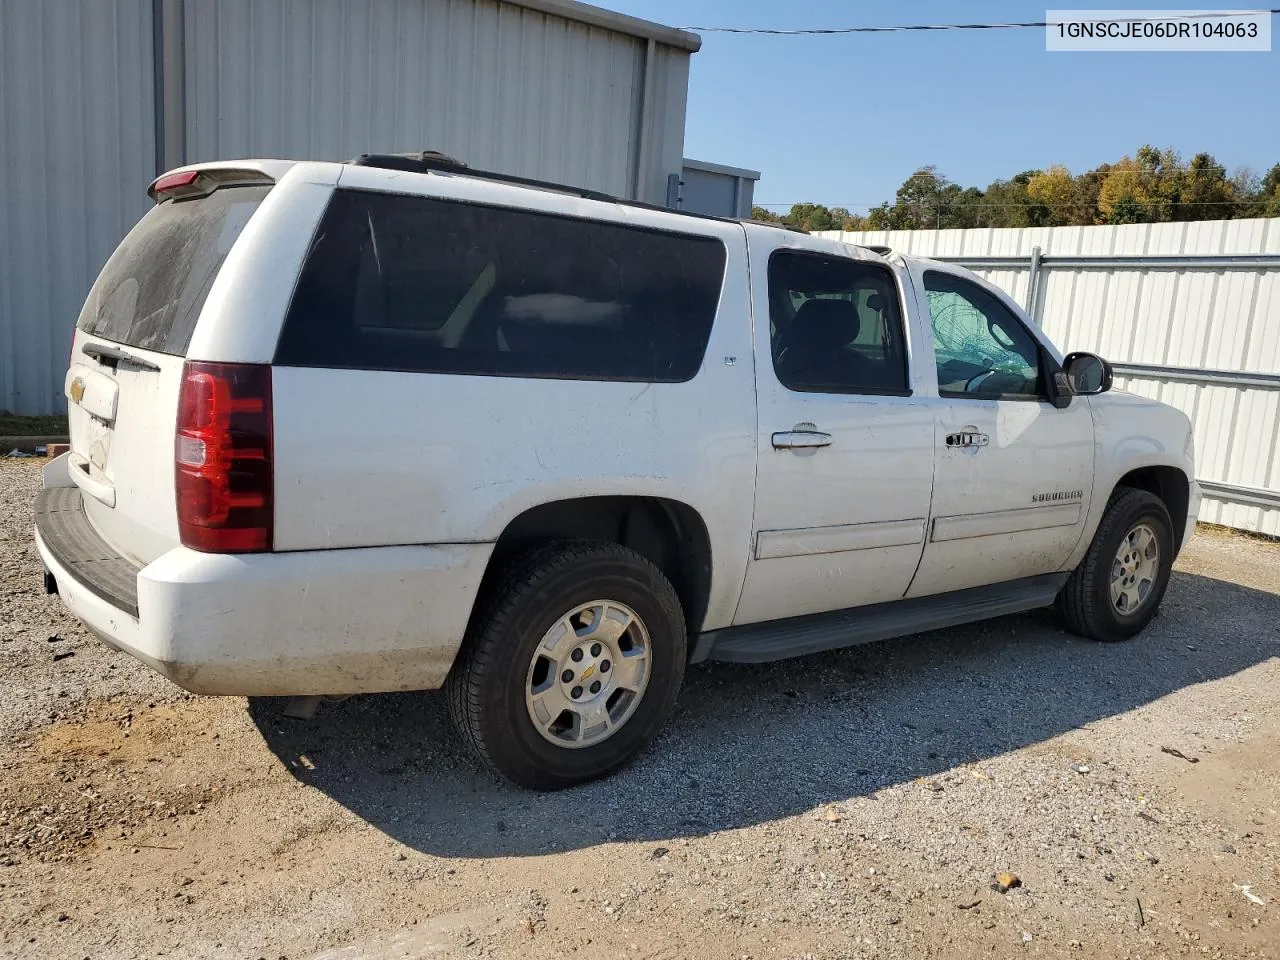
(1192, 321)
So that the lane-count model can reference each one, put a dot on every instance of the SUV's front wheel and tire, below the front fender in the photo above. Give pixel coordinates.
(1119, 586)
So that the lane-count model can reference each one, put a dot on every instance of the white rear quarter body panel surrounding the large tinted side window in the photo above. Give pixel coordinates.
(369, 459)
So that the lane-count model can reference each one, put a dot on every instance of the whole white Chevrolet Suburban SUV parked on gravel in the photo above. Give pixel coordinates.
(397, 426)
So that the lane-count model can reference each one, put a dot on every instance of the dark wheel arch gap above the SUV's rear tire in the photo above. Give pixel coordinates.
(666, 532)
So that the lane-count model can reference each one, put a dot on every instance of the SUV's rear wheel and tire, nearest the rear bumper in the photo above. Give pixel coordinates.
(572, 665)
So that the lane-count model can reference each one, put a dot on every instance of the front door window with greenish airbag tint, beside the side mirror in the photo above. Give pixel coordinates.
(982, 349)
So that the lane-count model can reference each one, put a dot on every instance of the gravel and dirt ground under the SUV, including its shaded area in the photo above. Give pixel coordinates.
(851, 804)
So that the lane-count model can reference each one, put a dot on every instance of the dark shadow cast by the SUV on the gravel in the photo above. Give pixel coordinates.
(757, 743)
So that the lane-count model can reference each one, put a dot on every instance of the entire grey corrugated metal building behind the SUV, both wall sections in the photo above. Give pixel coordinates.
(548, 89)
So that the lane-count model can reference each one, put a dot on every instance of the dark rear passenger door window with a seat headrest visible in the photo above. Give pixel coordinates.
(835, 326)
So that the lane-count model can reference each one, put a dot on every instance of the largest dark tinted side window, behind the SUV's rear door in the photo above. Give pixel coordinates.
(435, 286)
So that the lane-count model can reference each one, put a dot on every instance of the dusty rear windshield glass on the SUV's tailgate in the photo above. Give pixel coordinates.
(150, 292)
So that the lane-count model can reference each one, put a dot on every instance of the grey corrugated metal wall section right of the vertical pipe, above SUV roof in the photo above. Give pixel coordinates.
(499, 86)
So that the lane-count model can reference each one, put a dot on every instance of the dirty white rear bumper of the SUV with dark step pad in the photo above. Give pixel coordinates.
(281, 624)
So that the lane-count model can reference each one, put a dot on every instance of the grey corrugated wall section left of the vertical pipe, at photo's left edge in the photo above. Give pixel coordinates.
(77, 153)
